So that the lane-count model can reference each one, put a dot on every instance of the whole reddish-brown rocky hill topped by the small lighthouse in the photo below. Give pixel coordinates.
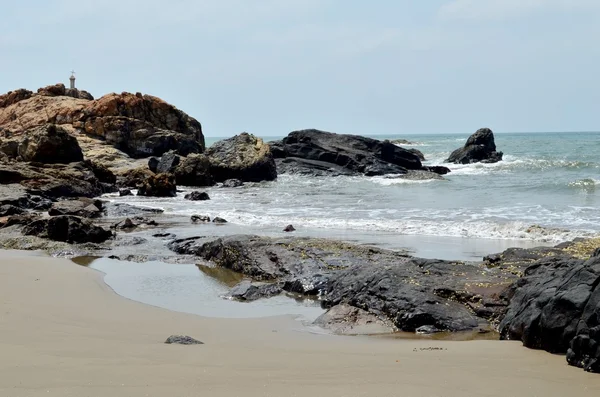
(139, 125)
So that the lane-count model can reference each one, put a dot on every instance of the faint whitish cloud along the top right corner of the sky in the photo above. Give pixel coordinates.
(504, 9)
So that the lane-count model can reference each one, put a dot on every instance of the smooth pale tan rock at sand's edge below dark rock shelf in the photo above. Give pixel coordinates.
(348, 320)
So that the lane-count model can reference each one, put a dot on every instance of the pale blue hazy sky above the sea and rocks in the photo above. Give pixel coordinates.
(349, 66)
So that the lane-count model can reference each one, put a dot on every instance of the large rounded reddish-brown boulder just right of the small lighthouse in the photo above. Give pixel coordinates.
(141, 125)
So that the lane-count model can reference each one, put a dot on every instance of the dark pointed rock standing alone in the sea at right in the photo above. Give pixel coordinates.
(480, 147)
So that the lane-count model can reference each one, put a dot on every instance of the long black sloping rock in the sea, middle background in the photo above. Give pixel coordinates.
(315, 152)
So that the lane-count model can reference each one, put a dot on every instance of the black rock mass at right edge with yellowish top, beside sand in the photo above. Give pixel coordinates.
(555, 306)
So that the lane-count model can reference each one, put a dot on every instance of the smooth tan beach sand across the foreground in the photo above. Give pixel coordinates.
(63, 332)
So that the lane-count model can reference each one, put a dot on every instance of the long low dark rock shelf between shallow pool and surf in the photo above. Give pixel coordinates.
(406, 292)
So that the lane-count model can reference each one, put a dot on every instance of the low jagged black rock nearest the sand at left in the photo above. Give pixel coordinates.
(67, 228)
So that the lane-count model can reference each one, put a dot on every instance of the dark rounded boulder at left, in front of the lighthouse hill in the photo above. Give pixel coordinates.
(49, 144)
